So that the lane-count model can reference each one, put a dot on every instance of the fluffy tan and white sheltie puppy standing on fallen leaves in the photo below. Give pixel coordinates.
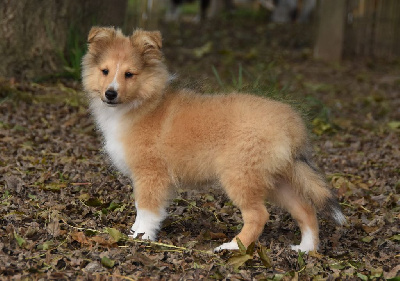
(256, 148)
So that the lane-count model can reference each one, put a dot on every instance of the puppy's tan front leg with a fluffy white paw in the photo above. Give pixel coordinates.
(151, 196)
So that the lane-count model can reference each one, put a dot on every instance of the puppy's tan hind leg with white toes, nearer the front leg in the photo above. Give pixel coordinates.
(248, 193)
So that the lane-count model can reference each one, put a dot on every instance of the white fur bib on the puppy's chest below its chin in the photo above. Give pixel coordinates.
(109, 121)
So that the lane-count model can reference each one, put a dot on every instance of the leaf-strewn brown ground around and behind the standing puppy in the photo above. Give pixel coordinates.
(65, 212)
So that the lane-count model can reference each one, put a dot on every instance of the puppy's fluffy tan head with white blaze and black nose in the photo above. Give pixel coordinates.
(122, 69)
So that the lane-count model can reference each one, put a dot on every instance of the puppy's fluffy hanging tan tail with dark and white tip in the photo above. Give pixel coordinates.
(313, 186)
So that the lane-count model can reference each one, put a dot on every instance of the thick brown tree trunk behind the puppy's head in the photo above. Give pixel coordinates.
(35, 34)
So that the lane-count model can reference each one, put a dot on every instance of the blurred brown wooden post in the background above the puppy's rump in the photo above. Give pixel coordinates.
(330, 34)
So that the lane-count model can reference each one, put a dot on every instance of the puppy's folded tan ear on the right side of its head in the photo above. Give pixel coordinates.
(149, 43)
